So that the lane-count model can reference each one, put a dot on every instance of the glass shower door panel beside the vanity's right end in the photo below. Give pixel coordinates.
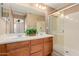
(56, 28)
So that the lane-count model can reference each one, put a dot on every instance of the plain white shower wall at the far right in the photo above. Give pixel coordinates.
(71, 34)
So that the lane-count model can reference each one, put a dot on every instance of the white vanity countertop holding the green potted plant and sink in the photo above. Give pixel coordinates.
(10, 38)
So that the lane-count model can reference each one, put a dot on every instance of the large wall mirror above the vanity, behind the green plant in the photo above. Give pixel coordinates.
(15, 18)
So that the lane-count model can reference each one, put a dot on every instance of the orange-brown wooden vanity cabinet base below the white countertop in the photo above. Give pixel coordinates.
(36, 47)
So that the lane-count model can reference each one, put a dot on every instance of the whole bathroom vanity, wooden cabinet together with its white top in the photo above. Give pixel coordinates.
(27, 46)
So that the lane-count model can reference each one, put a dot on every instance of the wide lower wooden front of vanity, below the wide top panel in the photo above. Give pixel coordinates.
(19, 52)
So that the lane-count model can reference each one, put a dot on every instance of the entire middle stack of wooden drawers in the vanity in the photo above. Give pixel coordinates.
(36, 46)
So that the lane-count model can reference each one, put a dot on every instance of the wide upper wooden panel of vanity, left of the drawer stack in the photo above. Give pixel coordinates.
(13, 46)
